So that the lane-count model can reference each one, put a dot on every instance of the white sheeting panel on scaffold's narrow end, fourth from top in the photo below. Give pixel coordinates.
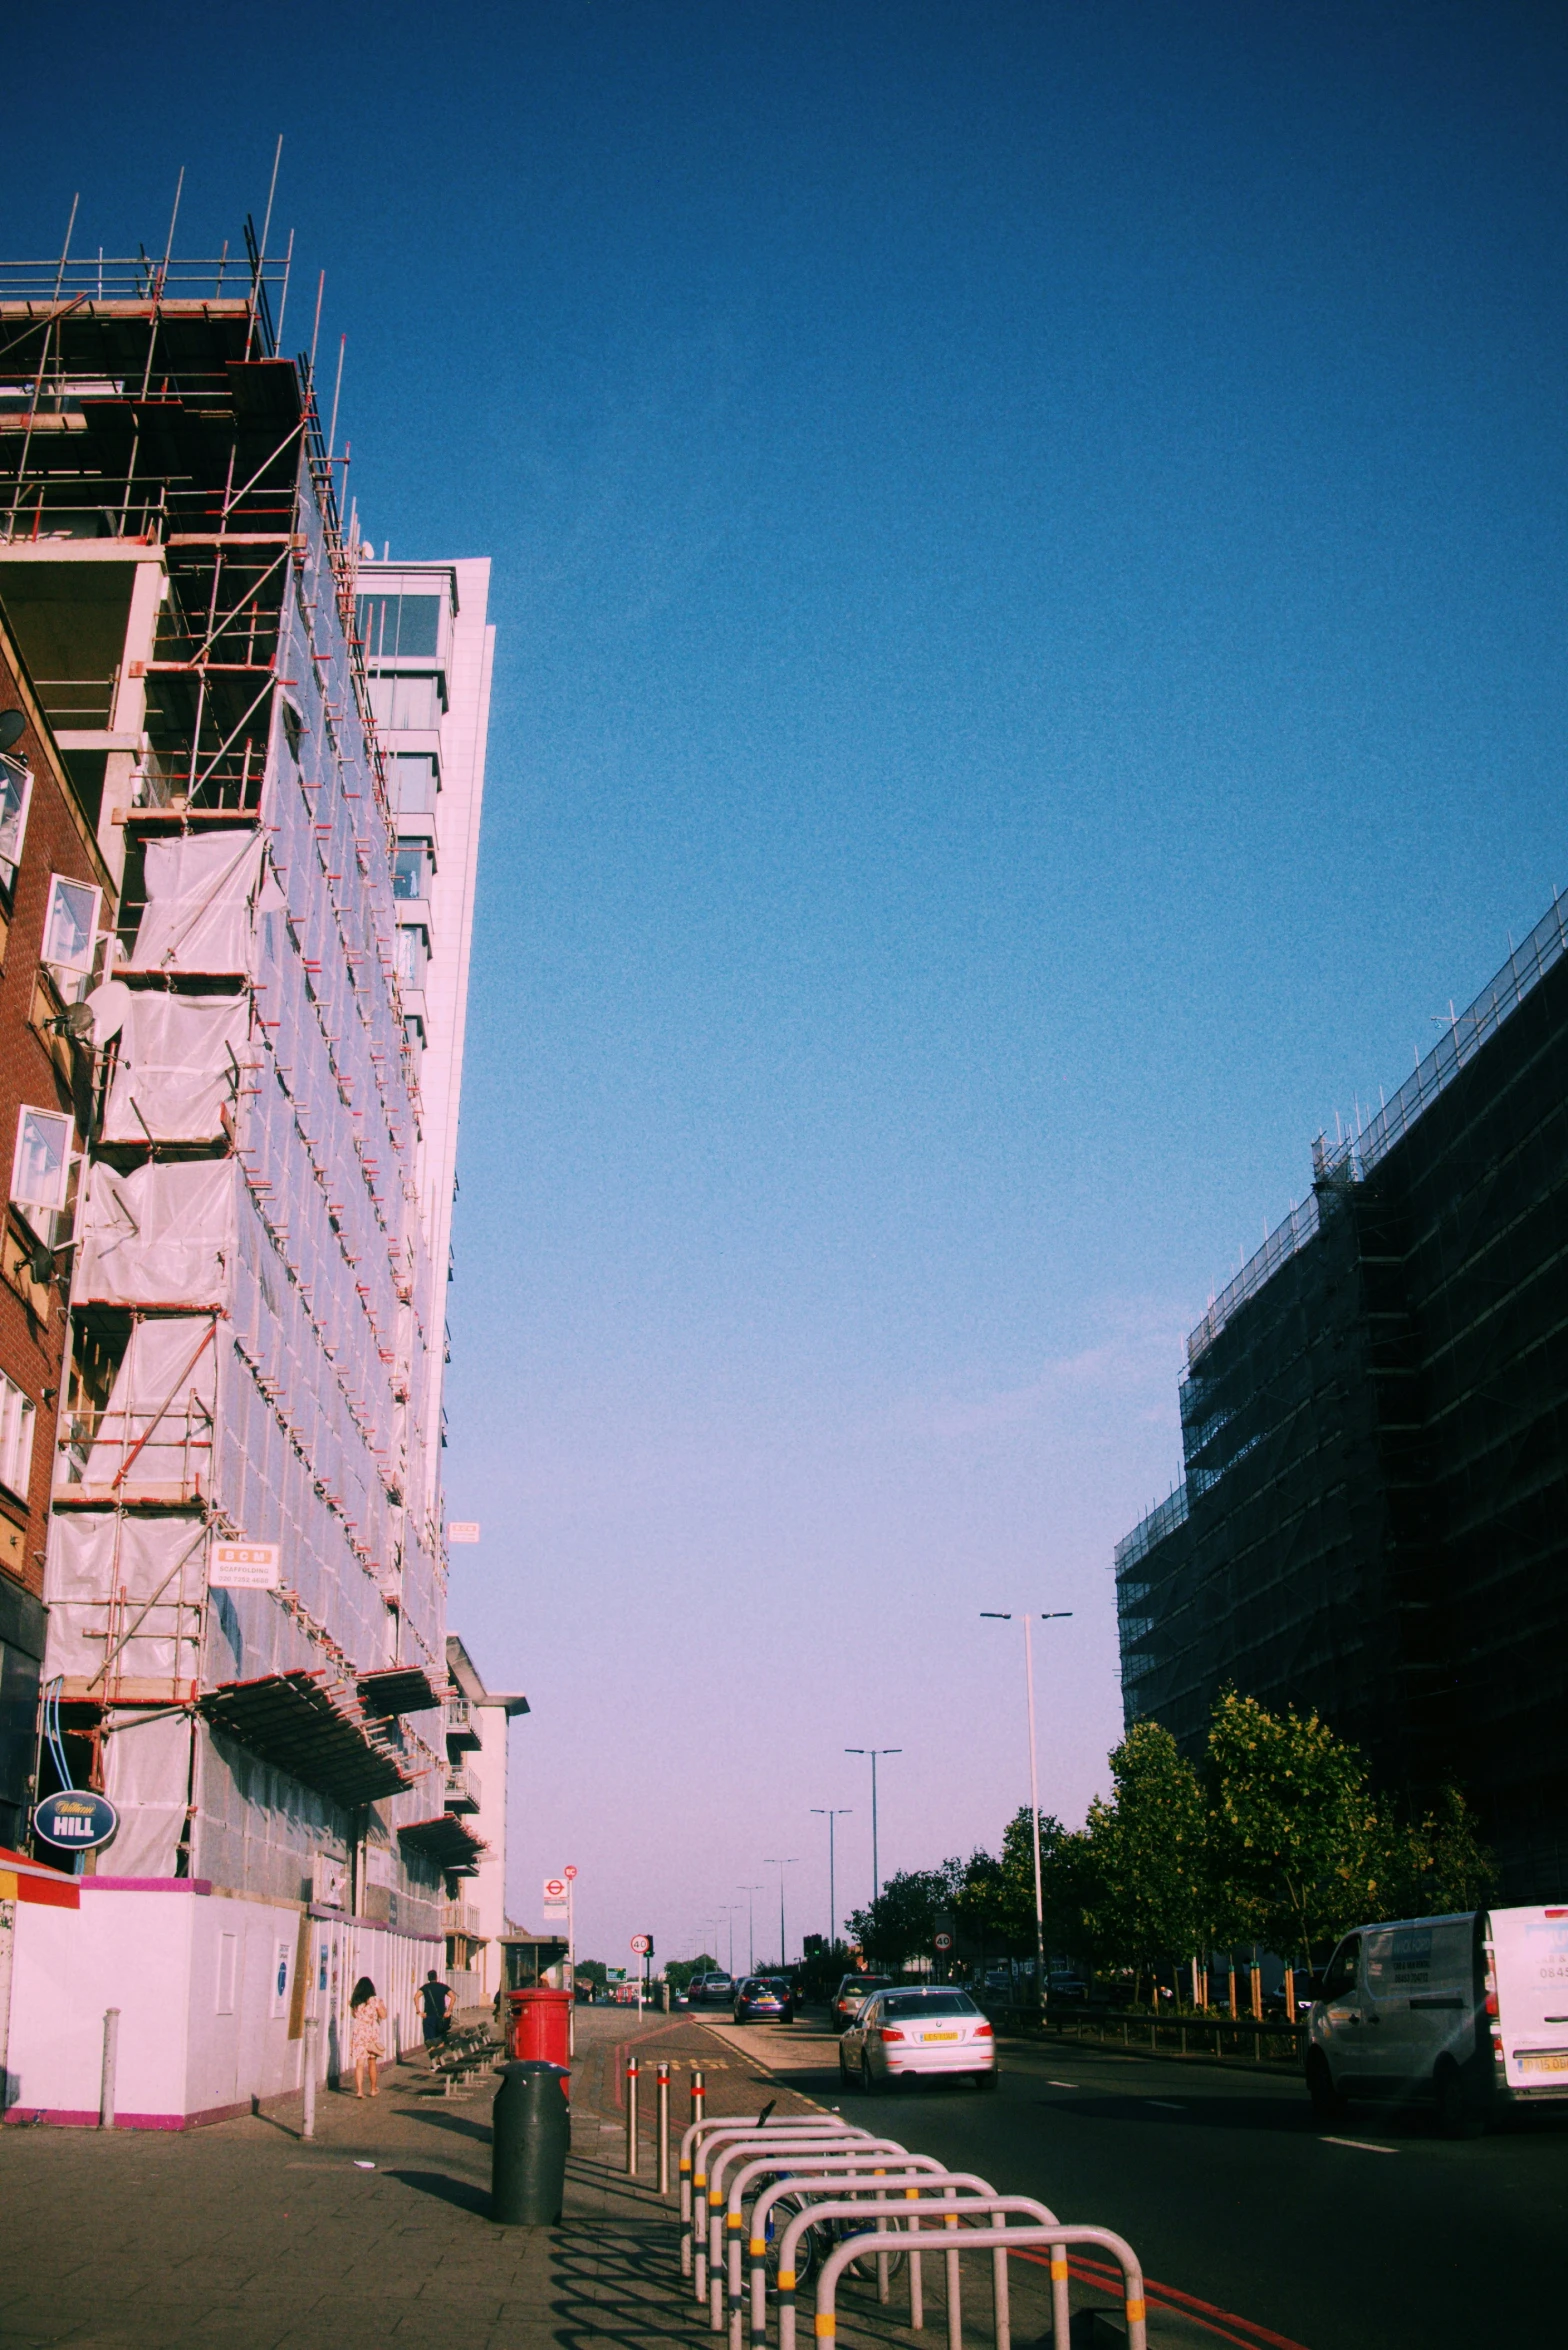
(159, 1428)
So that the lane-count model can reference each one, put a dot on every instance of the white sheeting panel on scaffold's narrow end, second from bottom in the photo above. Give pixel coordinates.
(130, 1590)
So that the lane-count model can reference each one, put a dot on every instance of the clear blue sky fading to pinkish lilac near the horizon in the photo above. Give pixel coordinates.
(1031, 593)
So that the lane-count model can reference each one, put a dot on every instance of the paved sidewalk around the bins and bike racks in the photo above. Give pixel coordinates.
(377, 2234)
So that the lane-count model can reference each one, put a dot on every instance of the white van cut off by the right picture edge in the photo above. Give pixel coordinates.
(1470, 2010)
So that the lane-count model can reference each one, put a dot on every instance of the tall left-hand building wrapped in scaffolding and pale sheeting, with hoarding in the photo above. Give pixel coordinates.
(246, 1569)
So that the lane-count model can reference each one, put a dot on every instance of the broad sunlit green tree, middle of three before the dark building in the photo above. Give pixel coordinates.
(1299, 1851)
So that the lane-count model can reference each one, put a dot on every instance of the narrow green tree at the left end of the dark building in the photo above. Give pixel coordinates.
(1146, 1862)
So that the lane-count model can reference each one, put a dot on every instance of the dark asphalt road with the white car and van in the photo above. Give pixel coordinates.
(1379, 2236)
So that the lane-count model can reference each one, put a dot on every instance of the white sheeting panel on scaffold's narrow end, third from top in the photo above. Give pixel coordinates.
(159, 1237)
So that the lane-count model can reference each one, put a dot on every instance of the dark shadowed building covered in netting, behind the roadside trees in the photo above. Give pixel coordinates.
(1374, 1515)
